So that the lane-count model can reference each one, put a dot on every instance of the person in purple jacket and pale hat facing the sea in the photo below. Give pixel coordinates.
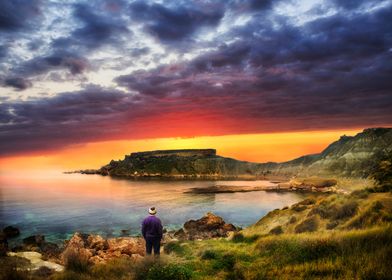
(152, 232)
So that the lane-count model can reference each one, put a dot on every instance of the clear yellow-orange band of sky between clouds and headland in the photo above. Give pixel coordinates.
(249, 147)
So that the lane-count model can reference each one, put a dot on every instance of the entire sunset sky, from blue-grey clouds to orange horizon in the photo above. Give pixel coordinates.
(82, 82)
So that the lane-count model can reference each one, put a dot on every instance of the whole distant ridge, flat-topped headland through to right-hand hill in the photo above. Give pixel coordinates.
(348, 157)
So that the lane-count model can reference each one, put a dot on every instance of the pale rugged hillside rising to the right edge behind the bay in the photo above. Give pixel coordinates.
(350, 156)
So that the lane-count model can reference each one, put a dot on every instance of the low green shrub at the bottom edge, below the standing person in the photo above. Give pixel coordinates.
(169, 272)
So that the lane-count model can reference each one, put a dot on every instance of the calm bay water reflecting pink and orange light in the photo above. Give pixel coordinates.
(57, 205)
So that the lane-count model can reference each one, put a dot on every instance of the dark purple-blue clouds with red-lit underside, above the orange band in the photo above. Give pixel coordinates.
(331, 72)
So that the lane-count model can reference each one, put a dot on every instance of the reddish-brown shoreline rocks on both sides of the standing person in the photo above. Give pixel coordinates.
(97, 250)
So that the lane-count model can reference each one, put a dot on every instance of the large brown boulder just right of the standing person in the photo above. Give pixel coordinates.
(209, 226)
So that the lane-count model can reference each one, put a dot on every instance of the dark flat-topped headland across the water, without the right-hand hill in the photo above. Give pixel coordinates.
(178, 163)
